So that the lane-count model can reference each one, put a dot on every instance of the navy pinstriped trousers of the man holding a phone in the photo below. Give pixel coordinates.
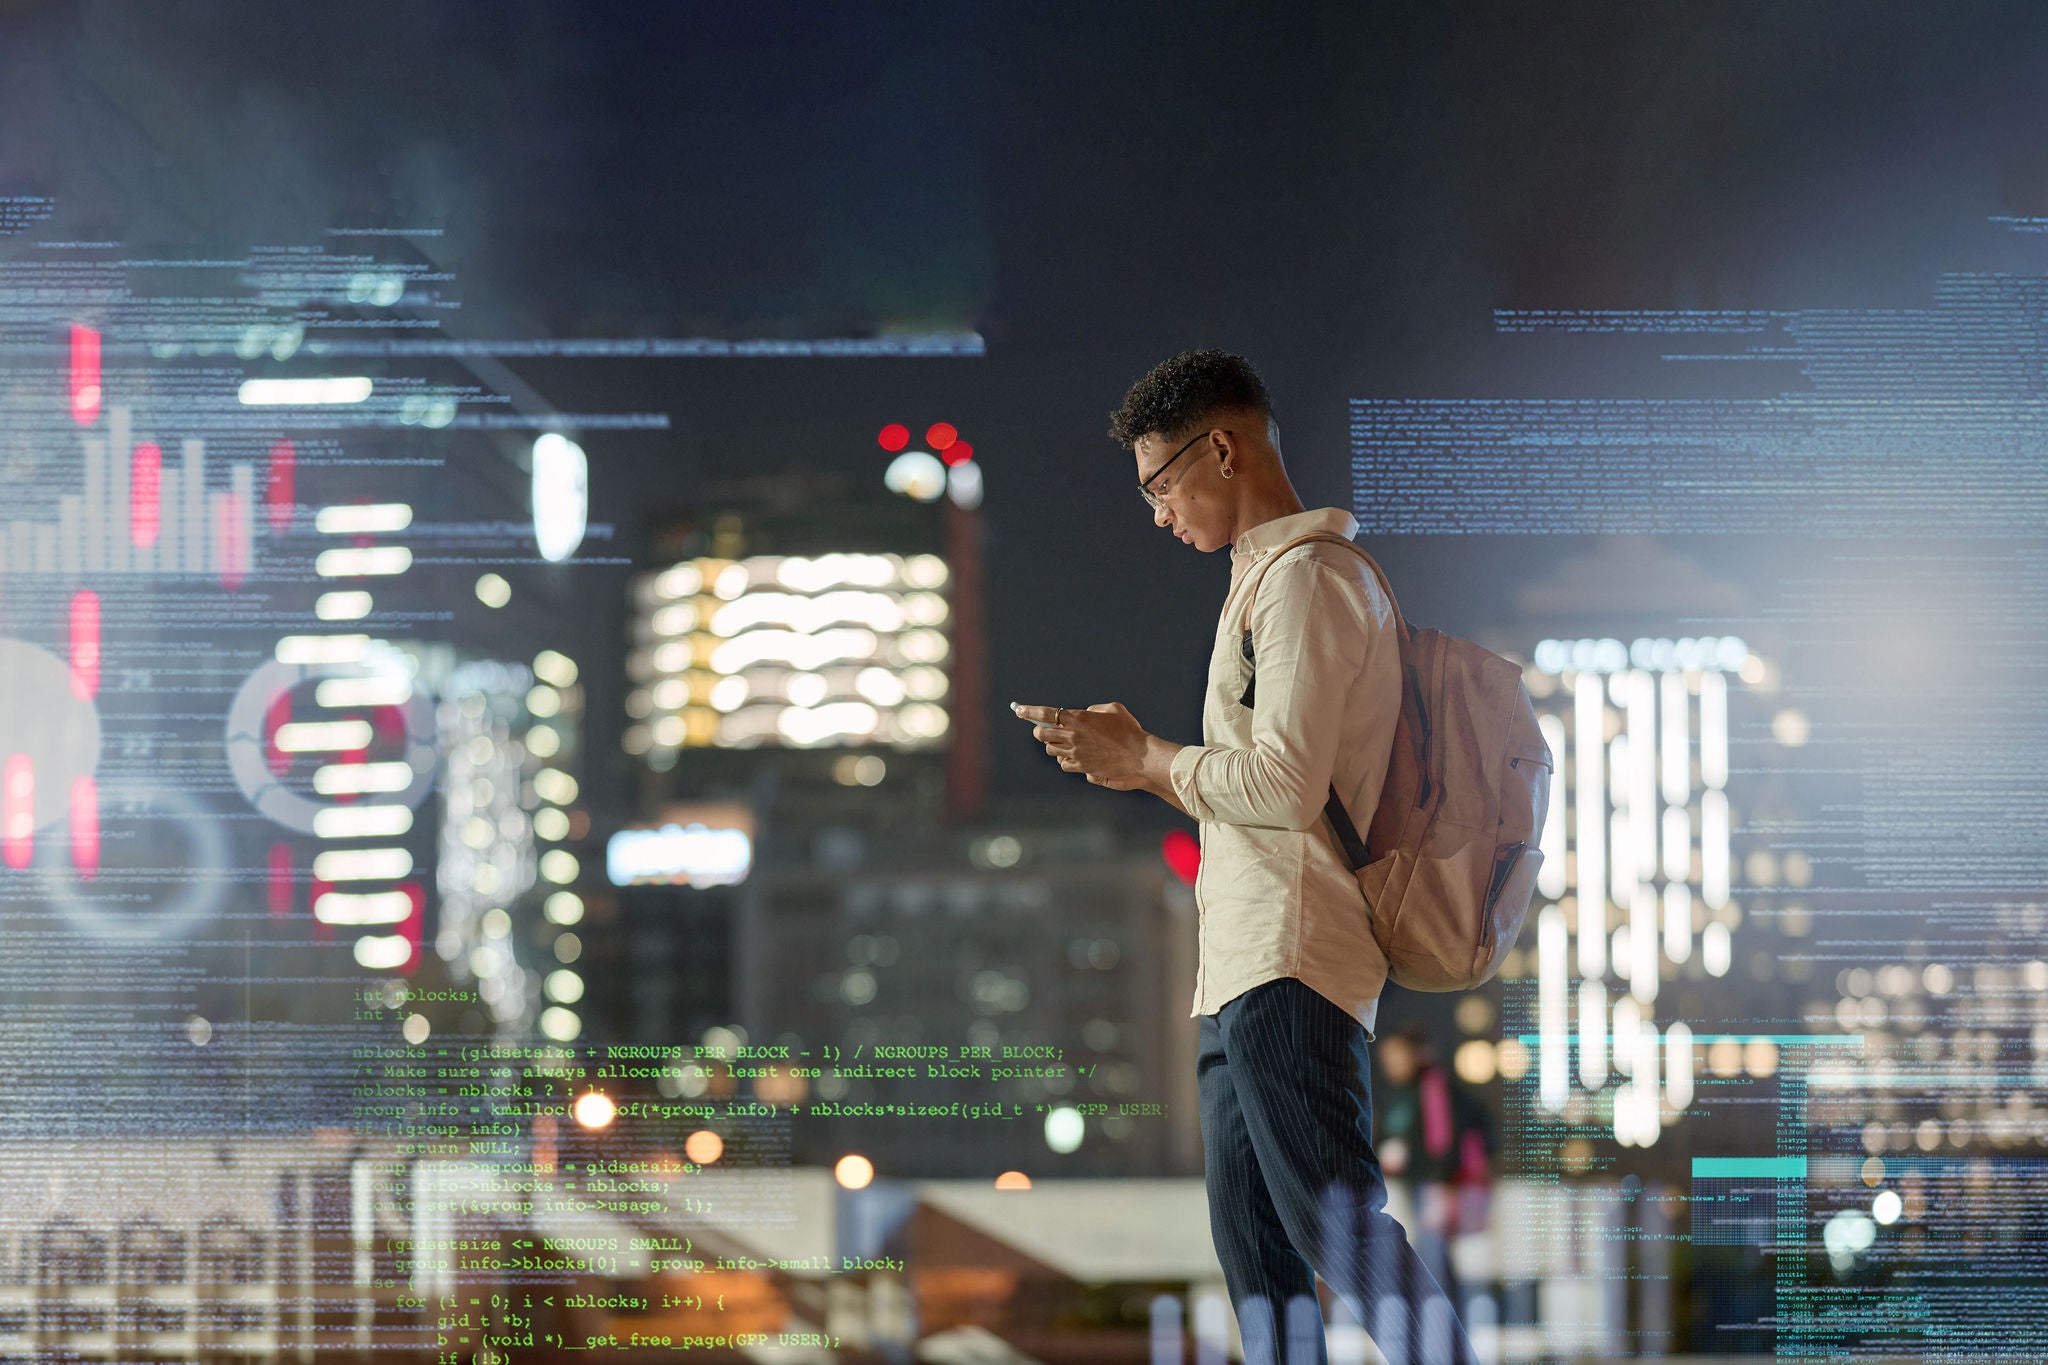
(1295, 1190)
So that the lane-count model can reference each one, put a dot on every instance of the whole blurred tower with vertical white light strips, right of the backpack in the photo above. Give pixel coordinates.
(1654, 955)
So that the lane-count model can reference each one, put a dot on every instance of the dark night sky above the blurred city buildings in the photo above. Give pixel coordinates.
(1338, 193)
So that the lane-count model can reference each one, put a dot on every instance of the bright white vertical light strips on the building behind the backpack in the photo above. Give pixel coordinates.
(1637, 863)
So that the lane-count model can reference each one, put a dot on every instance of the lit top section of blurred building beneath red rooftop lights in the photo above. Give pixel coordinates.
(820, 631)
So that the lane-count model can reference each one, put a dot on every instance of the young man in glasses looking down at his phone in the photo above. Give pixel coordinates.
(1289, 975)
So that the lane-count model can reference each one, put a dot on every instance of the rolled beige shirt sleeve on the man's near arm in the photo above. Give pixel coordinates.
(1316, 637)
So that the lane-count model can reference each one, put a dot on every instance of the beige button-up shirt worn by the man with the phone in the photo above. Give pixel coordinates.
(1275, 895)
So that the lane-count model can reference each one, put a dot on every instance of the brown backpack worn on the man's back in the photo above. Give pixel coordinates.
(1449, 867)
